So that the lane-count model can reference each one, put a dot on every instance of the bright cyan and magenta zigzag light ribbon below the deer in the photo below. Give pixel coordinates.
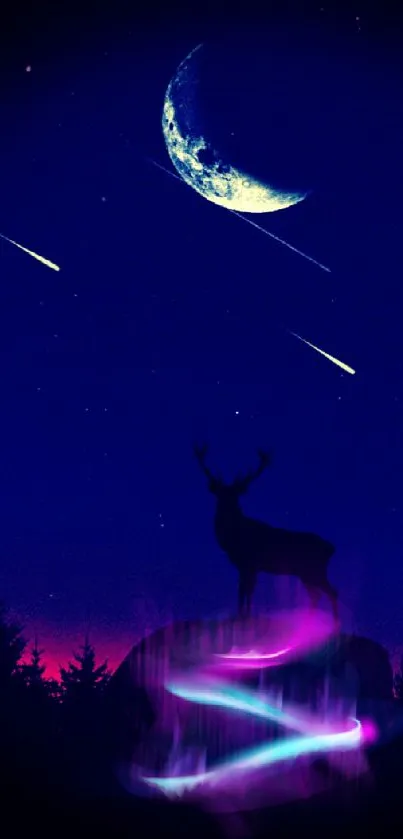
(210, 685)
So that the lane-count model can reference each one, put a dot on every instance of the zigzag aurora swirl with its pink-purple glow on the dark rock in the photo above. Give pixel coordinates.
(212, 684)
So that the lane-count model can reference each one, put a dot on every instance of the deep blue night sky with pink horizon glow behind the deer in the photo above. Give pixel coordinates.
(168, 322)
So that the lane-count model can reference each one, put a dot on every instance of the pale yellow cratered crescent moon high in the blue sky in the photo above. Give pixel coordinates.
(199, 164)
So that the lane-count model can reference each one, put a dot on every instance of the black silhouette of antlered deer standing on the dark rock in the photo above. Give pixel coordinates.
(253, 546)
